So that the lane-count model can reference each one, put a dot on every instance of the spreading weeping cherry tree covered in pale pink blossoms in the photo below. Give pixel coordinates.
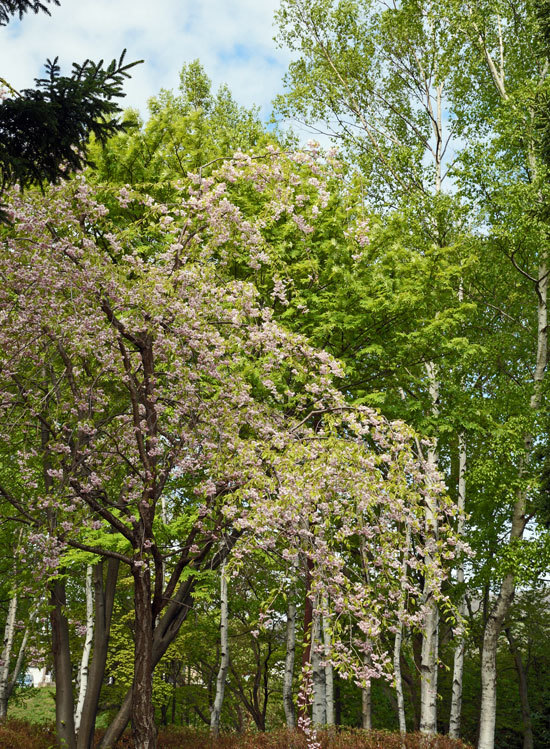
(165, 420)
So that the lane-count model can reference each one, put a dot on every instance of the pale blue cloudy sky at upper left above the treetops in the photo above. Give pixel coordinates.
(232, 38)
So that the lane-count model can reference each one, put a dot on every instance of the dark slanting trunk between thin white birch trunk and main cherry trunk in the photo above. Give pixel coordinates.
(104, 599)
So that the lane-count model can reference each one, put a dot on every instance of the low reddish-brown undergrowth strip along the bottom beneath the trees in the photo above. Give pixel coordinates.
(18, 734)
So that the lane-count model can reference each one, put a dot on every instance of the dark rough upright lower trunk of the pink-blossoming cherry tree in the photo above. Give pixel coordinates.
(144, 731)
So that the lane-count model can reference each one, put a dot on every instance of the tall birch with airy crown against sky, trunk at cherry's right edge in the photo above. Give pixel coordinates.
(374, 76)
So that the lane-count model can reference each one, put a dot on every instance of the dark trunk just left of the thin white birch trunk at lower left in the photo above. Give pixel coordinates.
(64, 705)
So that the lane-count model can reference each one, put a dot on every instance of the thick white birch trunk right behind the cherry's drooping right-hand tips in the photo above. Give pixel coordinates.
(429, 652)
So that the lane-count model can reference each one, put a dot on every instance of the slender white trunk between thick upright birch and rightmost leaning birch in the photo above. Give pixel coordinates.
(458, 666)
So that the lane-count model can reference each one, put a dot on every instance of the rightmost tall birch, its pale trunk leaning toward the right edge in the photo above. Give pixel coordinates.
(508, 66)
